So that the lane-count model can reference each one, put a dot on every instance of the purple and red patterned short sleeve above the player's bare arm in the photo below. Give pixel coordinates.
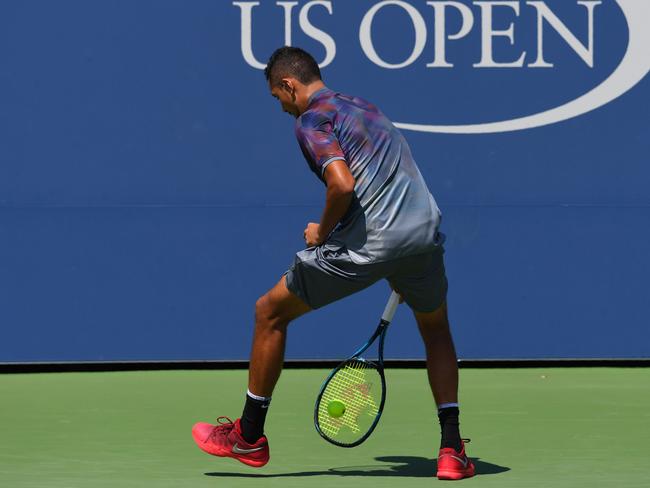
(318, 142)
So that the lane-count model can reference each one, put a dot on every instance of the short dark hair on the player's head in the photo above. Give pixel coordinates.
(294, 62)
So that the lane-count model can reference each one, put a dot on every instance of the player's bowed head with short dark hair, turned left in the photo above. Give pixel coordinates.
(292, 74)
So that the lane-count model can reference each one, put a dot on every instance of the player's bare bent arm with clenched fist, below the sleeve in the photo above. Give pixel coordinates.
(340, 190)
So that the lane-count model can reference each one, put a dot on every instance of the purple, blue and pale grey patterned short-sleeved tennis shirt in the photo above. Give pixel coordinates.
(392, 214)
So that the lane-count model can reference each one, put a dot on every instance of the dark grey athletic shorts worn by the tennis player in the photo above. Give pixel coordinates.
(320, 276)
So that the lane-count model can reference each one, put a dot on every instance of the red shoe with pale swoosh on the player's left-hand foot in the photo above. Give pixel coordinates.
(225, 440)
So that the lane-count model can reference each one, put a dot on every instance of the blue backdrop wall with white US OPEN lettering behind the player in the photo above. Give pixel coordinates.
(151, 189)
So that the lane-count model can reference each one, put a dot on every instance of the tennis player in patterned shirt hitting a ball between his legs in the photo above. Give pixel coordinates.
(379, 222)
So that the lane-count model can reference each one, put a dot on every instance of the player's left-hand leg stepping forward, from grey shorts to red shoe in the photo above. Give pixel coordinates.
(318, 276)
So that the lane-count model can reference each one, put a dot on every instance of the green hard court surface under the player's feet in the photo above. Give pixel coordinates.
(529, 427)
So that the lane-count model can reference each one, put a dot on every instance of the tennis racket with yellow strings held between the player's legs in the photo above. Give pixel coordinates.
(352, 397)
